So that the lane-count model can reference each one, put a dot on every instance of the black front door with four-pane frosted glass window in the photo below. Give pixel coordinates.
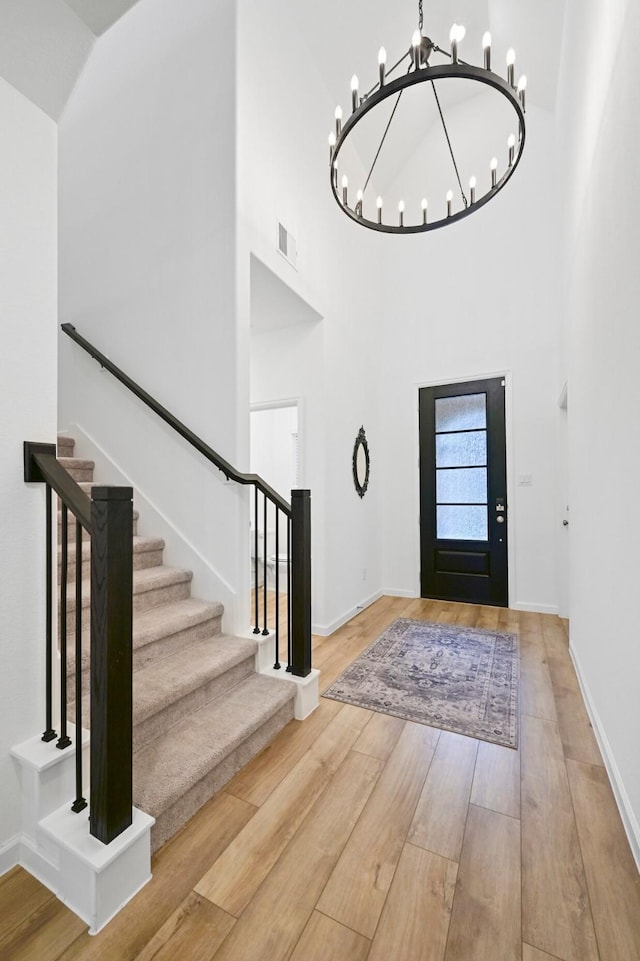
(463, 493)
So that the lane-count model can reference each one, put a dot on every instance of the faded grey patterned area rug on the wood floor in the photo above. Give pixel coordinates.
(461, 679)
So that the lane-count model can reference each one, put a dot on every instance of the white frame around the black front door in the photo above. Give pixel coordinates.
(507, 376)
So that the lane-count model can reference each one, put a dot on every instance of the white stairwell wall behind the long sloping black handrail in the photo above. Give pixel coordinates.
(147, 268)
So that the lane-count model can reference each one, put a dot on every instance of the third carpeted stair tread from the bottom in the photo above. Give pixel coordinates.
(158, 623)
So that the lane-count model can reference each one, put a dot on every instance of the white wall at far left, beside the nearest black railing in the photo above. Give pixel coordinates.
(27, 412)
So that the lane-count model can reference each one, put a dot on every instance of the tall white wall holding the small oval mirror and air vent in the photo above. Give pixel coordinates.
(285, 114)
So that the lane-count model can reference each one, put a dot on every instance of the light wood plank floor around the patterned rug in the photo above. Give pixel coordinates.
(359, 837)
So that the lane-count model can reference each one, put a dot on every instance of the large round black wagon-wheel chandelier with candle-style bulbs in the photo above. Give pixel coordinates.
(422, 214)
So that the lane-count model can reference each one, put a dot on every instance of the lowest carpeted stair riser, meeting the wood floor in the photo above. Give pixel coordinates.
(171, 820)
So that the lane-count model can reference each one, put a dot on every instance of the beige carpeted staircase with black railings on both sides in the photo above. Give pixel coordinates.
(200, 711)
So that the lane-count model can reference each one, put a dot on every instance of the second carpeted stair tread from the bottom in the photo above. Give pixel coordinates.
(170, 678)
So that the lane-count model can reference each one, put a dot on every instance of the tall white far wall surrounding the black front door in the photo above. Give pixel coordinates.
(473, 299)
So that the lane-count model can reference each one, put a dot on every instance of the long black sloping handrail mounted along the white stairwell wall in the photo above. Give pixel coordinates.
(230, 472)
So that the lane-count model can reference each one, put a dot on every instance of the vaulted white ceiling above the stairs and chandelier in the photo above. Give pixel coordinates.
(44, 43)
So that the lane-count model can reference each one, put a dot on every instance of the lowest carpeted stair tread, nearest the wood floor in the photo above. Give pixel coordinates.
(166, 768)
